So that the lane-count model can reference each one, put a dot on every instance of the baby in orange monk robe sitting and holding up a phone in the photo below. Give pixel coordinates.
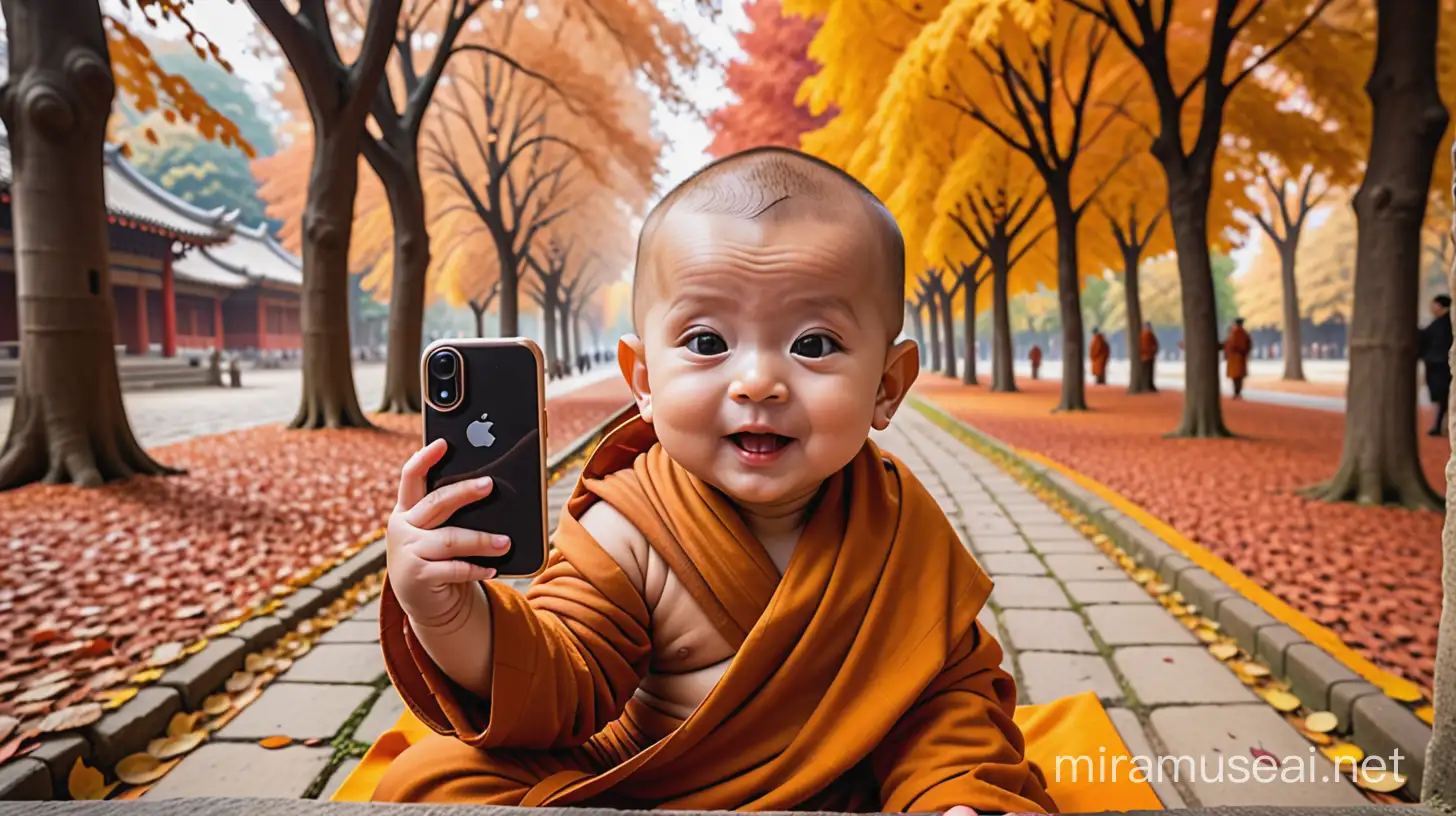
(749, 607)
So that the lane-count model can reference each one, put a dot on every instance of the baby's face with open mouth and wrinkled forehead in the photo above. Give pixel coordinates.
(767, 350)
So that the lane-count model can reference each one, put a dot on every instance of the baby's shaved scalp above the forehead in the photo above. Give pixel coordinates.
(778, 186)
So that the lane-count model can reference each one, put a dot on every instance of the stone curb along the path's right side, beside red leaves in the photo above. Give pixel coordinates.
(1375, 722)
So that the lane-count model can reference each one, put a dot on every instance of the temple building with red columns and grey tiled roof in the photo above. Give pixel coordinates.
(184, 280)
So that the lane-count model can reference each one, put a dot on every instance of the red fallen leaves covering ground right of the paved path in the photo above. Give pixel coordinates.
(1372, 575)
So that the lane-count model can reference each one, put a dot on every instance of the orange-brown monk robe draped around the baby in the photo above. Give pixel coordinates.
(863, 680)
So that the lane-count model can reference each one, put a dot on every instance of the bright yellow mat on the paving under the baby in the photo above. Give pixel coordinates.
(1069, 729)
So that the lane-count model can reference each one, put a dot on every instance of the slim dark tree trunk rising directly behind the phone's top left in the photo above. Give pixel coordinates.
(407, 292)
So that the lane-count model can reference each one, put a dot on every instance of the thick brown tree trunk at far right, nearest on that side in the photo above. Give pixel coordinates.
(1381, 461)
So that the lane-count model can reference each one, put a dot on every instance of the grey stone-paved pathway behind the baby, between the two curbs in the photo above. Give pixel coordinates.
(1069, 620)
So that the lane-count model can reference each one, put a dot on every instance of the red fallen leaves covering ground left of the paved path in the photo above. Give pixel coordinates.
(94, 582)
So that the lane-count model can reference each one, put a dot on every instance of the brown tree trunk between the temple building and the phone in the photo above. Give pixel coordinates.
(328, 222)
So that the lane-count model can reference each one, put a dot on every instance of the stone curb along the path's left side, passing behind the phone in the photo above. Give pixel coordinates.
(183, 688)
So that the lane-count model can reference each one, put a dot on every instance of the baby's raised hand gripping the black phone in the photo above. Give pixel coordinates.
(426, 568)
